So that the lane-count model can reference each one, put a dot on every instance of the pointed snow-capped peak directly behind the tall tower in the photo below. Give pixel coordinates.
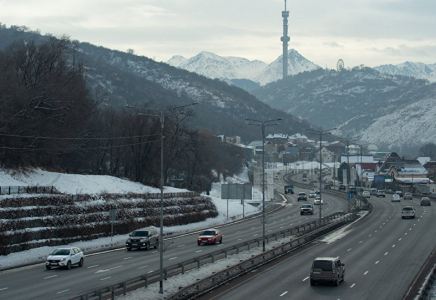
(296, 64)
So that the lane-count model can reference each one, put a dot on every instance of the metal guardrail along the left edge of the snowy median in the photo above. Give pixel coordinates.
(111, 291)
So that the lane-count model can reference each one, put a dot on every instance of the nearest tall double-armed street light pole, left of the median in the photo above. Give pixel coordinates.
(161, 115)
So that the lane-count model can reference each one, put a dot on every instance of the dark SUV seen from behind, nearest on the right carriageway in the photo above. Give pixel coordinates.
(327, 269)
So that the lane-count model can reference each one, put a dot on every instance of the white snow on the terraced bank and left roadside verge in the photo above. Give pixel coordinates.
(95, 184)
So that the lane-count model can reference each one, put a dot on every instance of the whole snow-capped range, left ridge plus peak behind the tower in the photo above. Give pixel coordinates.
(214, 66)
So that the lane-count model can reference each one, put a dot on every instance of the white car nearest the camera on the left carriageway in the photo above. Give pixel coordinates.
(65, 258)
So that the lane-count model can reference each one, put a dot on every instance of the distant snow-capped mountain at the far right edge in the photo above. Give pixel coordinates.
(418, 70)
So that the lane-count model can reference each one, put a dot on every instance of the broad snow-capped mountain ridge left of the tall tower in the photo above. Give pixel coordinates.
(214, 66)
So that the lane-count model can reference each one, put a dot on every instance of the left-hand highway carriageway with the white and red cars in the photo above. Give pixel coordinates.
(35, 282)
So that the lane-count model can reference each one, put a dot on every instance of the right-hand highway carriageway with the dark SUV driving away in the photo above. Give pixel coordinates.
(382, 254)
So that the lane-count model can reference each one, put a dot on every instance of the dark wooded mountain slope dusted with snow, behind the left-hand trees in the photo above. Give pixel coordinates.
(120, 78)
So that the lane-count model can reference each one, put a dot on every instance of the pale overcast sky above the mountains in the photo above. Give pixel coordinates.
(368, 32)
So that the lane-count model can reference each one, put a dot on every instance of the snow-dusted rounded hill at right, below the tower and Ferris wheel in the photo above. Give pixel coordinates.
(362, 103)
